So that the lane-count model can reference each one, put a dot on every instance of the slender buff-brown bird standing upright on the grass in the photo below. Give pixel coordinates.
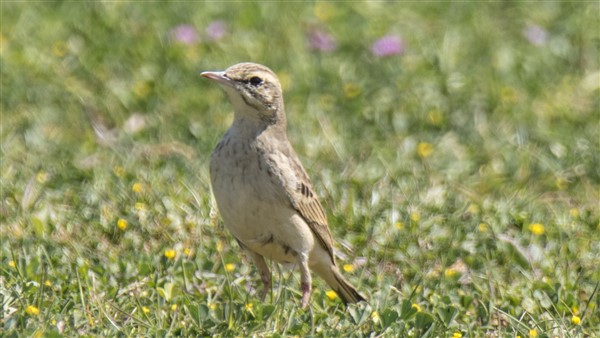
(263, 194)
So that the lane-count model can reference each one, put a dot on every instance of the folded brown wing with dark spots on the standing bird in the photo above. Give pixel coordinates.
(287, 168)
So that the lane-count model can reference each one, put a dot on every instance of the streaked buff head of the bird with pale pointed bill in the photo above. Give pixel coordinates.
(253, 89)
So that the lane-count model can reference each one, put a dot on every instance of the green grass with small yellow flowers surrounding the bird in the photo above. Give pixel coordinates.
(460, 178)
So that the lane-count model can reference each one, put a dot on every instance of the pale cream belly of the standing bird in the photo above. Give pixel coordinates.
(256, 212)
